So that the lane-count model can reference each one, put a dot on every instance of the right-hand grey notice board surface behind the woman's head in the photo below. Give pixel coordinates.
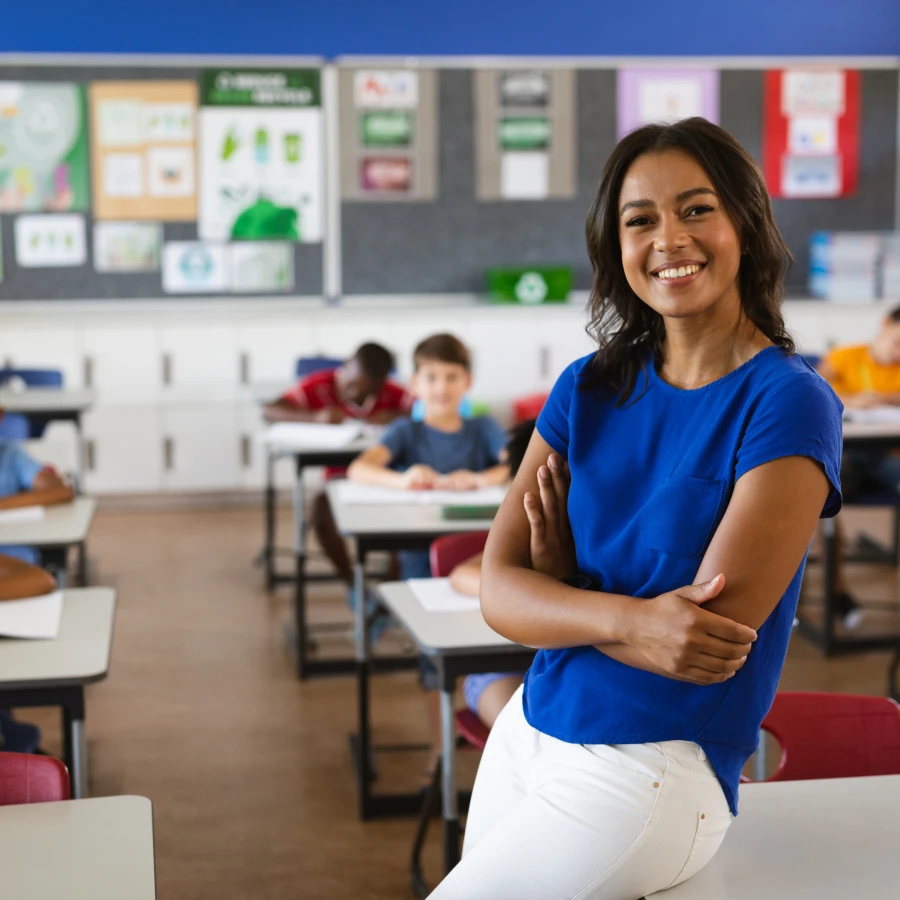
(444, 246)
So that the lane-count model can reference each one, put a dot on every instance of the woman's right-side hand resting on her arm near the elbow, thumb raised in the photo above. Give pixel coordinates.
(682, 640)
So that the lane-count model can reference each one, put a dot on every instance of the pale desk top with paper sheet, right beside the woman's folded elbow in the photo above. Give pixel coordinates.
(459, 632)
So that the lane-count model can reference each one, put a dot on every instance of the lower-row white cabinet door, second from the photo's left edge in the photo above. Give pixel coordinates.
(123, 450)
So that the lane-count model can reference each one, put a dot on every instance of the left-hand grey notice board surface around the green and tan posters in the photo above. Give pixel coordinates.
(83, 282)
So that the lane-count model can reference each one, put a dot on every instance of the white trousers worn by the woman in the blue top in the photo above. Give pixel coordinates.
(557, 821)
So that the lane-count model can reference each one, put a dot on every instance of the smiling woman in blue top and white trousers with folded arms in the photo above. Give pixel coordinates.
(701, 453)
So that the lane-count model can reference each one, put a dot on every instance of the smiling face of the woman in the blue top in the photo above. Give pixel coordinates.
(680, 250)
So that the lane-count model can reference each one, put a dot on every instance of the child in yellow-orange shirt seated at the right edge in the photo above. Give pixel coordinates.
(863, 376)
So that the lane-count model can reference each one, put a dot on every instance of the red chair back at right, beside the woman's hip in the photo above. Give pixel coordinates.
(834, 735)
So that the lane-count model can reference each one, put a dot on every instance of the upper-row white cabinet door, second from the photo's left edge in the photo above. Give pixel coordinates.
(122, 363)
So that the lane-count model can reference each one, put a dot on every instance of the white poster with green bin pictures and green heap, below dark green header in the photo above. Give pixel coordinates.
(261, 173)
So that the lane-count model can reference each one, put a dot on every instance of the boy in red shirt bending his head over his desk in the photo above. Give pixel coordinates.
(358, 389)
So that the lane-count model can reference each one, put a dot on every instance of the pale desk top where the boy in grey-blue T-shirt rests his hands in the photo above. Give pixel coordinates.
(365, 520)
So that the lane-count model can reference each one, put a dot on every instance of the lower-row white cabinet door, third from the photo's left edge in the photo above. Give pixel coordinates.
(201, 447)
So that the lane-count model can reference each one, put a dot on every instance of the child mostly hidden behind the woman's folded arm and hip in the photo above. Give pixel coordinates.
(487, 693)
